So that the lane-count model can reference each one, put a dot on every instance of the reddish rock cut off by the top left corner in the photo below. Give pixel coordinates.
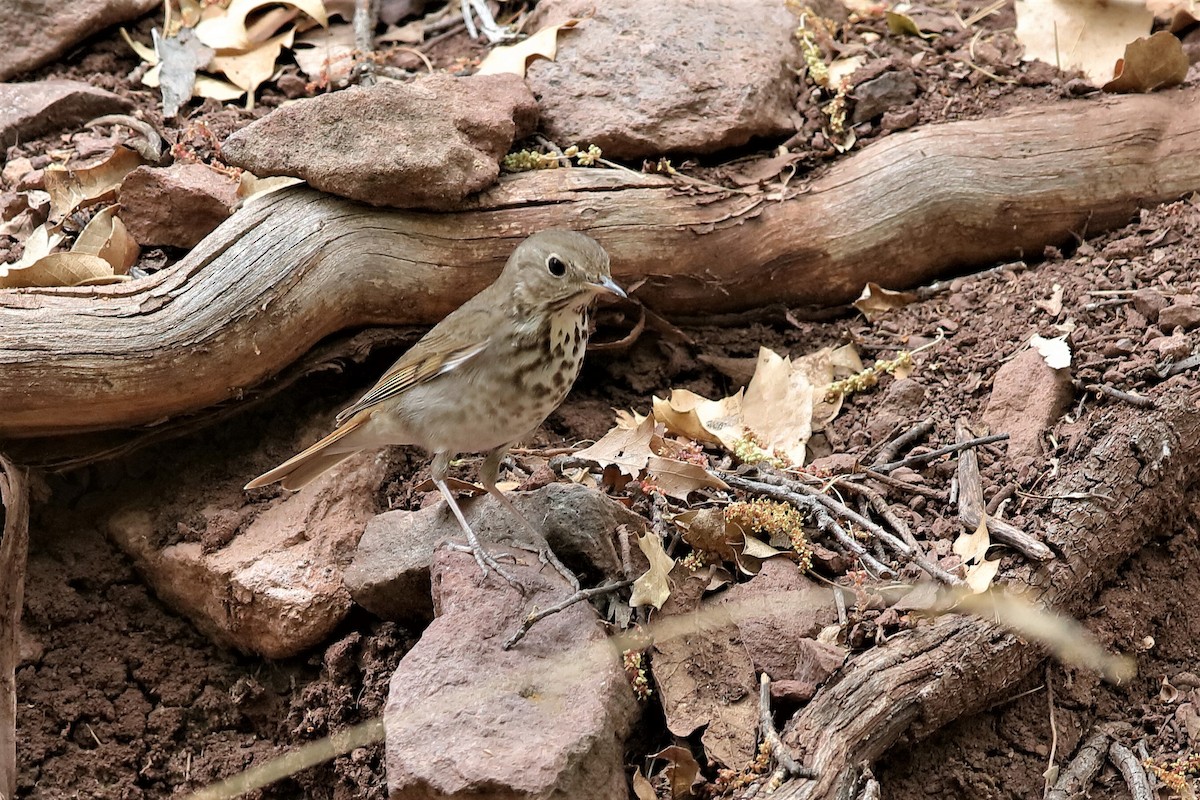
(39, 33)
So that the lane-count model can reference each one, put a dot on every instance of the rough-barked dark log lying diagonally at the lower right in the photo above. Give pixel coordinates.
(1121, 495)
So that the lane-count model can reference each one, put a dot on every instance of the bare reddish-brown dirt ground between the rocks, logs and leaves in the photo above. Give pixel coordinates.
(122, 699)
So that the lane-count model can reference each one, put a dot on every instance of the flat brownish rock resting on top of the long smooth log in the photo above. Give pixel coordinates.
(422, 146)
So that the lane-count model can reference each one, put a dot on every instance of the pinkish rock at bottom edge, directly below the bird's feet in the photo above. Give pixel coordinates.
(466, 719)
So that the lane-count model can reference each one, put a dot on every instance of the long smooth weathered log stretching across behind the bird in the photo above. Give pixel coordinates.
(297, 267)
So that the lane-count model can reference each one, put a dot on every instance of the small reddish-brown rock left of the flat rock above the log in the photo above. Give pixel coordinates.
(176, 206)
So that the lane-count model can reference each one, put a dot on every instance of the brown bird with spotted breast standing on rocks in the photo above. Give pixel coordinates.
(482, 380)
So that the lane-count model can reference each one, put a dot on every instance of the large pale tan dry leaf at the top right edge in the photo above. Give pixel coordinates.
(1088, 35)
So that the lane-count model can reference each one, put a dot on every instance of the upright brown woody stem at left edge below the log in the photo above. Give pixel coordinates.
(14, 552)
